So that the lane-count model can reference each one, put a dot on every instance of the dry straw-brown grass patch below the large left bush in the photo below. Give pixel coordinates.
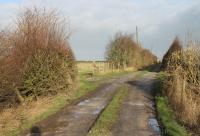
(13, 118)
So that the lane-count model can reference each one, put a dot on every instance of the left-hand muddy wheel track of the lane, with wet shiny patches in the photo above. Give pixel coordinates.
(77, 119)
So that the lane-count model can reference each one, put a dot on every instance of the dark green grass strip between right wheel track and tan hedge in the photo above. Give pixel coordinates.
(166, 115)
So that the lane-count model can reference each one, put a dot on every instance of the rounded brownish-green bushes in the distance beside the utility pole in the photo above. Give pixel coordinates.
(123, 51)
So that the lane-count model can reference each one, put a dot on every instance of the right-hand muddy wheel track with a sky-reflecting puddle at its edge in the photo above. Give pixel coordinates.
(137, 114)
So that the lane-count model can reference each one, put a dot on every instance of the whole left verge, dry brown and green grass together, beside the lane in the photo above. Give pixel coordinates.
(15, 120)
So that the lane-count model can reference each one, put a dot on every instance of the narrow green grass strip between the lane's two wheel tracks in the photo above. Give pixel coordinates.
(109, 116)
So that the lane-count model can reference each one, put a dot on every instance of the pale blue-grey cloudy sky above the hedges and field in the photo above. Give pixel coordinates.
(94, 22)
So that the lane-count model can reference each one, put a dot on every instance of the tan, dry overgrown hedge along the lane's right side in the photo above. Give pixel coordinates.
(182, 86)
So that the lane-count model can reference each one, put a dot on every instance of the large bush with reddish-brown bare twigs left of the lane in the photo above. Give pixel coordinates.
(39, 61)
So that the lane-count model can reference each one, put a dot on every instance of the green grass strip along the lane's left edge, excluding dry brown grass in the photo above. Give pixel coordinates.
(85, 86)
